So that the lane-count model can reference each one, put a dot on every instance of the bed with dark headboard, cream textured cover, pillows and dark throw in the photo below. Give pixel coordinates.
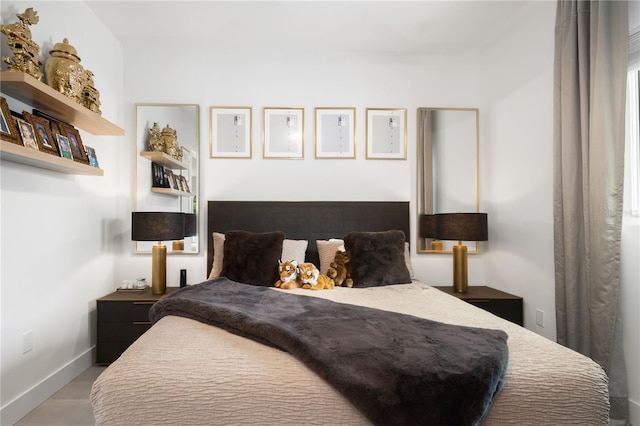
(185, 371)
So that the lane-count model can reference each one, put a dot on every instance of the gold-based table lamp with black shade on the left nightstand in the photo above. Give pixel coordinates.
(157, 226)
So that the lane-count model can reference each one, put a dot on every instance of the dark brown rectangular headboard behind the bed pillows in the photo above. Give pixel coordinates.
(305, 220)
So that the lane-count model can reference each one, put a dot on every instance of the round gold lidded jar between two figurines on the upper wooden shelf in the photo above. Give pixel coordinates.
(64, 72)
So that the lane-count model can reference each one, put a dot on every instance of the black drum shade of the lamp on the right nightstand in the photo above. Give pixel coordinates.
(461, 226)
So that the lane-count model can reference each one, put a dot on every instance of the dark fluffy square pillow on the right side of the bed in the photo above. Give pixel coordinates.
(376, 258)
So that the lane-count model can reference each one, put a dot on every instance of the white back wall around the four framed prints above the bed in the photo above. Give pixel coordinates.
(212, 77)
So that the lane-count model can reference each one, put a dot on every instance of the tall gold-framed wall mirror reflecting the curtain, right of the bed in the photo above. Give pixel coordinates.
(448, 168)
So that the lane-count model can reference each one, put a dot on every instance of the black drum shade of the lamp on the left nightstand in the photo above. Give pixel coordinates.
(157, 226)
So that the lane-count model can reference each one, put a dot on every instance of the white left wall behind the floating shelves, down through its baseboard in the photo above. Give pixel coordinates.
(58, 234)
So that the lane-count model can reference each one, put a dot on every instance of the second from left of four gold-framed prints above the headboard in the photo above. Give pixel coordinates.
(283, 132)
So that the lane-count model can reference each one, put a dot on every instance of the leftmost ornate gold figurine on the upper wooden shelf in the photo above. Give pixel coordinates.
(26, 53)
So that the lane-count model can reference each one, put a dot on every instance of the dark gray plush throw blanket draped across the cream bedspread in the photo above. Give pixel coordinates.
(396, 369)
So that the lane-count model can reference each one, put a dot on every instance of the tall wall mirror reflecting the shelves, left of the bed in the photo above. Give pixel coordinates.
(165, 167)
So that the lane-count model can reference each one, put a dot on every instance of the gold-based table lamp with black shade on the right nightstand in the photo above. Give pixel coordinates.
(461, 227)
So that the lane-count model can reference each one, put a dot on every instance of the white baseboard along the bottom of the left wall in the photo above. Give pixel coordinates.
(25, 403)
